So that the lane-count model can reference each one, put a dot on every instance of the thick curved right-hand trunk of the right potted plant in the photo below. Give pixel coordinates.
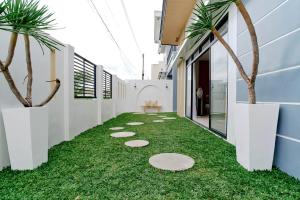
(251, 29)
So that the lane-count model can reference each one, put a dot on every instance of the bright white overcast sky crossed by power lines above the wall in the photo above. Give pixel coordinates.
(82, 28)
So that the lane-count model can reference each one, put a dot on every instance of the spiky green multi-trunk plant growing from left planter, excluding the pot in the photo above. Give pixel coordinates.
(27, 18)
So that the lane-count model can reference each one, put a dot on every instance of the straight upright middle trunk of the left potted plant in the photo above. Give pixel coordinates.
(29, 70)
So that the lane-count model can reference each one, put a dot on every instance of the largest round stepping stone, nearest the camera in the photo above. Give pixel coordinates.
(171, 161)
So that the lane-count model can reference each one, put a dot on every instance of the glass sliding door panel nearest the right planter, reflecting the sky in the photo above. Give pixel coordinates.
(218, 110)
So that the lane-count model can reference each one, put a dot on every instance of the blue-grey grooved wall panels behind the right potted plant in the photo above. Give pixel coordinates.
(278, 28)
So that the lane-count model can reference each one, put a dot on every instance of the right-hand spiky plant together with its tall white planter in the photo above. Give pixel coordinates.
(255, 123)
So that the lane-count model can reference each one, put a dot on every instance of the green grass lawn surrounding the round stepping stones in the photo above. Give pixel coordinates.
(96, 166)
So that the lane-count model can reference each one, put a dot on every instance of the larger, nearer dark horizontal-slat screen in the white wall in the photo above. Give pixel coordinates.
(84, 78)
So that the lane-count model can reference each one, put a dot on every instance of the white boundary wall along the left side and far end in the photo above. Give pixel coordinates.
(69, 116)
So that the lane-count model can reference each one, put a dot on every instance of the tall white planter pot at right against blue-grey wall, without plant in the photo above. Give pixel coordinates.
(255, 132)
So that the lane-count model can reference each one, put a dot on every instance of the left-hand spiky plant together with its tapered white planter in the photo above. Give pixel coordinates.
(26, 128)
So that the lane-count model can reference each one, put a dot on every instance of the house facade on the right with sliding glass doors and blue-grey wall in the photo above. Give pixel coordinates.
(208, 85)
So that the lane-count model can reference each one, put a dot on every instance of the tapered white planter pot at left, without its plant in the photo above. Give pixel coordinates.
(27, 136)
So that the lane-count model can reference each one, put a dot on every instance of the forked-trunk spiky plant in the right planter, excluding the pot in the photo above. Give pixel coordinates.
(207, 16)
